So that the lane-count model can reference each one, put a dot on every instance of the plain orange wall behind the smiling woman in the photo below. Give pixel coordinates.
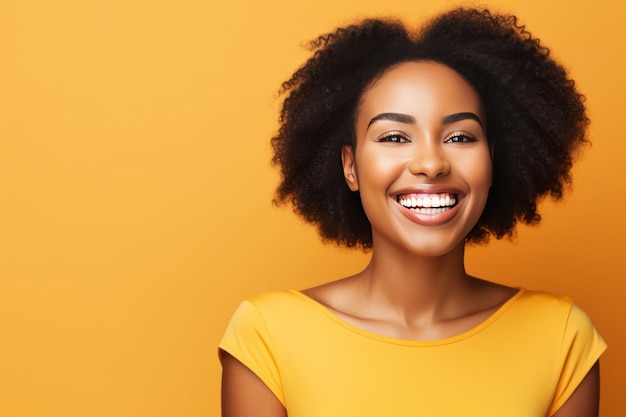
(135, 192)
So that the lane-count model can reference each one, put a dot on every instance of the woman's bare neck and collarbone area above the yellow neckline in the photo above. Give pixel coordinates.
(400, 294)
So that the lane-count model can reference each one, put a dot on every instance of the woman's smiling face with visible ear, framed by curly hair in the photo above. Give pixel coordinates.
(421, 163)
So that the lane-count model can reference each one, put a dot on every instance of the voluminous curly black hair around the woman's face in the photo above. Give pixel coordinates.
(536, 120)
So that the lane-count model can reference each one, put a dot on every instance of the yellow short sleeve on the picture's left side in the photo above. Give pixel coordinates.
(248, 340)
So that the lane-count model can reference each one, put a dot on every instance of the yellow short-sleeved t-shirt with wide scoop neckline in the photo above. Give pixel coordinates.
(523, 361)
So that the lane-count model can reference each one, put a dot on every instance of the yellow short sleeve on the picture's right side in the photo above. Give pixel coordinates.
(582, 347)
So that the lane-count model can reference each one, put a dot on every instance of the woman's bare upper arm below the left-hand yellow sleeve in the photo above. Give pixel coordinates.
(244, 394)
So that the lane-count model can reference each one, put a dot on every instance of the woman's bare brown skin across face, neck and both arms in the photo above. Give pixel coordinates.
(419, 134)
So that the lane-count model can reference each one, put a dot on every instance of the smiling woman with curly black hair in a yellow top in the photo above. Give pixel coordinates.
(413, 145)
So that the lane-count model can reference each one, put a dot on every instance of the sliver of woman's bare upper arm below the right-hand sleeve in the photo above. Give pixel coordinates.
(585, 401)
